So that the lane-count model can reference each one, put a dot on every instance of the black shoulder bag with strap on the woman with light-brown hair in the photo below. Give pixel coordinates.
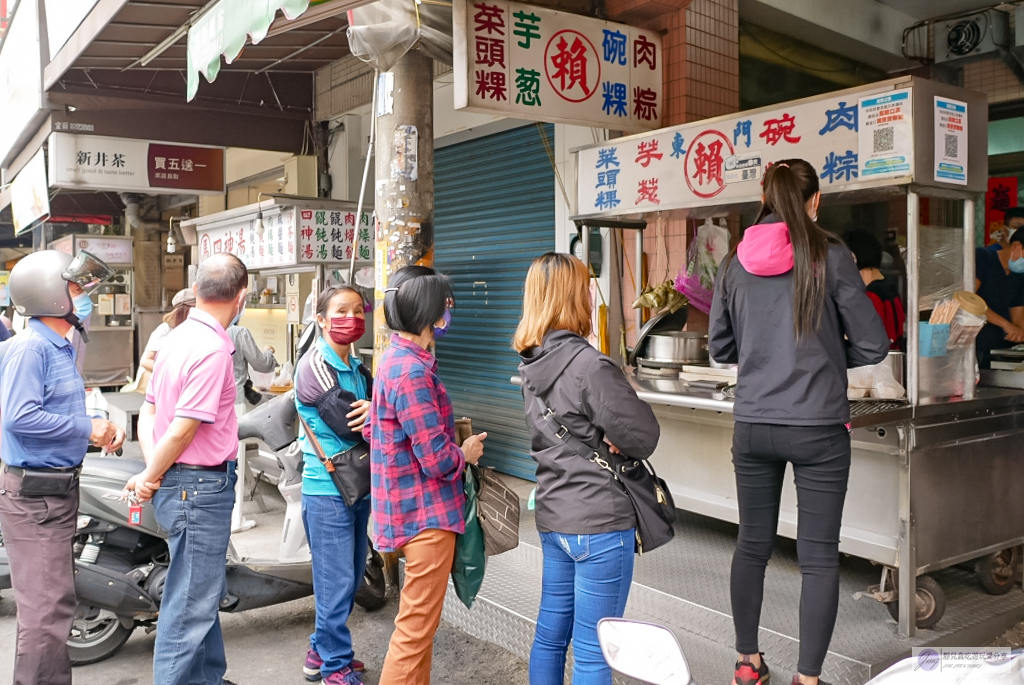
(653, 504)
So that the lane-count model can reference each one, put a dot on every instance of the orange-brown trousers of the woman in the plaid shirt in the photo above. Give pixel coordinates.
(429, 565)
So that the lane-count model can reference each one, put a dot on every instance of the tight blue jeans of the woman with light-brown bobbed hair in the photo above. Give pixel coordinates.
(586, 579)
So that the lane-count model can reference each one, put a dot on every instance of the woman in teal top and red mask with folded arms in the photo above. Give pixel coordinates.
(333, 397)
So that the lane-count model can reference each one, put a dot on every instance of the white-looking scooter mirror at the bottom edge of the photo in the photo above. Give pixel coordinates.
(645, 652)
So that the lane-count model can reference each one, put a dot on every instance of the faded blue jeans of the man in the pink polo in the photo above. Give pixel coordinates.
(195, 508)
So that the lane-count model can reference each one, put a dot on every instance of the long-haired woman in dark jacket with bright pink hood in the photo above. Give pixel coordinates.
(790, 309)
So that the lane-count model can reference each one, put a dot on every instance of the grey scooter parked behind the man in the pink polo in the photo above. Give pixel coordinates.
(120, 570)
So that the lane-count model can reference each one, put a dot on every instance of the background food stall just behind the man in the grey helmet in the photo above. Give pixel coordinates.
(110, 357)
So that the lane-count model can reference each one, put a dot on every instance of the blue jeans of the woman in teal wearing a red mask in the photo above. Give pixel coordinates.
(337, 536)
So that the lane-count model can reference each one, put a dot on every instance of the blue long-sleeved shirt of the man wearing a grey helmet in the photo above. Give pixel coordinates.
(42, 402)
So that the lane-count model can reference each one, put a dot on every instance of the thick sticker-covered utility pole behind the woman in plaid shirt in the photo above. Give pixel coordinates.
(404, 195)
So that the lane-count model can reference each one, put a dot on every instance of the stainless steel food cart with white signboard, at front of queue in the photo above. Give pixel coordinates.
(934, 478)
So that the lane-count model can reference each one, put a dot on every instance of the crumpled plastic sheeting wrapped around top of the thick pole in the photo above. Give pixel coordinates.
(381, 33)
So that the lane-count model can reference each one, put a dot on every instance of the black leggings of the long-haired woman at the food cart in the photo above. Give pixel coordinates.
(821, 458)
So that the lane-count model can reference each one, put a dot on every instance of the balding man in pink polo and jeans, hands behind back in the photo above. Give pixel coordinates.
(189, 433)
